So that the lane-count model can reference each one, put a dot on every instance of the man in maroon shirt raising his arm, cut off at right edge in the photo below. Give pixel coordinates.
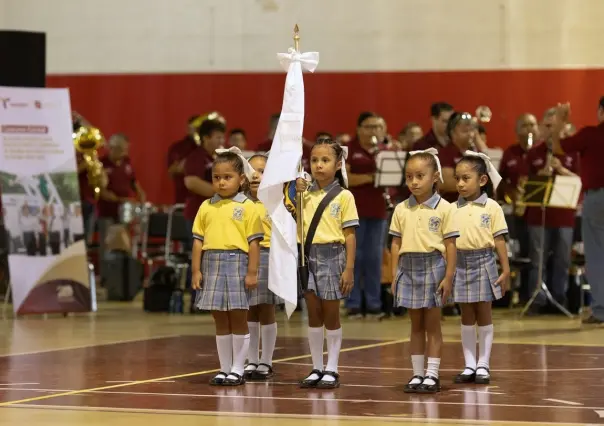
(588, 143)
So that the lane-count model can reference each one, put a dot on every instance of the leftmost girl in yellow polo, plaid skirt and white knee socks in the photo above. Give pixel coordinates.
(226, 247)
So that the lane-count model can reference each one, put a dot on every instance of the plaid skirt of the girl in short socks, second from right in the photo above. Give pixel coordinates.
(418, 278)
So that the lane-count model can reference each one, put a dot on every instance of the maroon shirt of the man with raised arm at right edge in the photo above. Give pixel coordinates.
(588, 143)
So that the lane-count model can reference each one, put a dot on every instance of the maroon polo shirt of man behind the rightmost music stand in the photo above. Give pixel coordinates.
(554, 217)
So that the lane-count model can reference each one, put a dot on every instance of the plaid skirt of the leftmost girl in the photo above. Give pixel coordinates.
(223, 281)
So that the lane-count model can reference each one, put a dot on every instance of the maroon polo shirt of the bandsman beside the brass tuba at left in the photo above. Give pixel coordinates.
(120, 181)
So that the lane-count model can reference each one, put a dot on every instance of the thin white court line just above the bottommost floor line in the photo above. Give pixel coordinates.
(318, 397)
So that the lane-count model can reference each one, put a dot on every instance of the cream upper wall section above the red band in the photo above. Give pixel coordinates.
(149, 36)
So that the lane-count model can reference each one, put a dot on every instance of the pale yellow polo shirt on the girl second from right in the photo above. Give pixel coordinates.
(423, 228)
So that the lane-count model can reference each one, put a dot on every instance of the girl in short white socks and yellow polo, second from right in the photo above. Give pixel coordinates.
(423, 259)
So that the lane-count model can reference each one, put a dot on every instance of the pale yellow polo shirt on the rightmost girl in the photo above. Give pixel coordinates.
(480, 221)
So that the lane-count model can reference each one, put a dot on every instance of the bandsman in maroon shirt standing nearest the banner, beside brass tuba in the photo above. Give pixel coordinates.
(122, 186)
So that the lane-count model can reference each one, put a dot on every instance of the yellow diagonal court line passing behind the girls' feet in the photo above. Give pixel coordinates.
(181, 376)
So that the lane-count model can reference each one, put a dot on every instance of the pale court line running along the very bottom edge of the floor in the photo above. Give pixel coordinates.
(323, 417)
